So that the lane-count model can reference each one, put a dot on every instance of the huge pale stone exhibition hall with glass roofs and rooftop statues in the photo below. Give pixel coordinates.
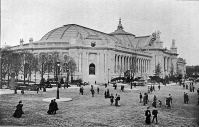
(100, 56)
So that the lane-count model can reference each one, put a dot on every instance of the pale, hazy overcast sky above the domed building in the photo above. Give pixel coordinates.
(175, 19)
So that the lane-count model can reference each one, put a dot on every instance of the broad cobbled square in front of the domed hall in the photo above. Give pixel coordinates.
(87, 111)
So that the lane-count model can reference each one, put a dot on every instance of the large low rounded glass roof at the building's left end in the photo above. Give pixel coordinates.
(72, 31)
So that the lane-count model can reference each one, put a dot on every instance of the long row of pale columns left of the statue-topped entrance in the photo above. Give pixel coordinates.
(139, 65)
